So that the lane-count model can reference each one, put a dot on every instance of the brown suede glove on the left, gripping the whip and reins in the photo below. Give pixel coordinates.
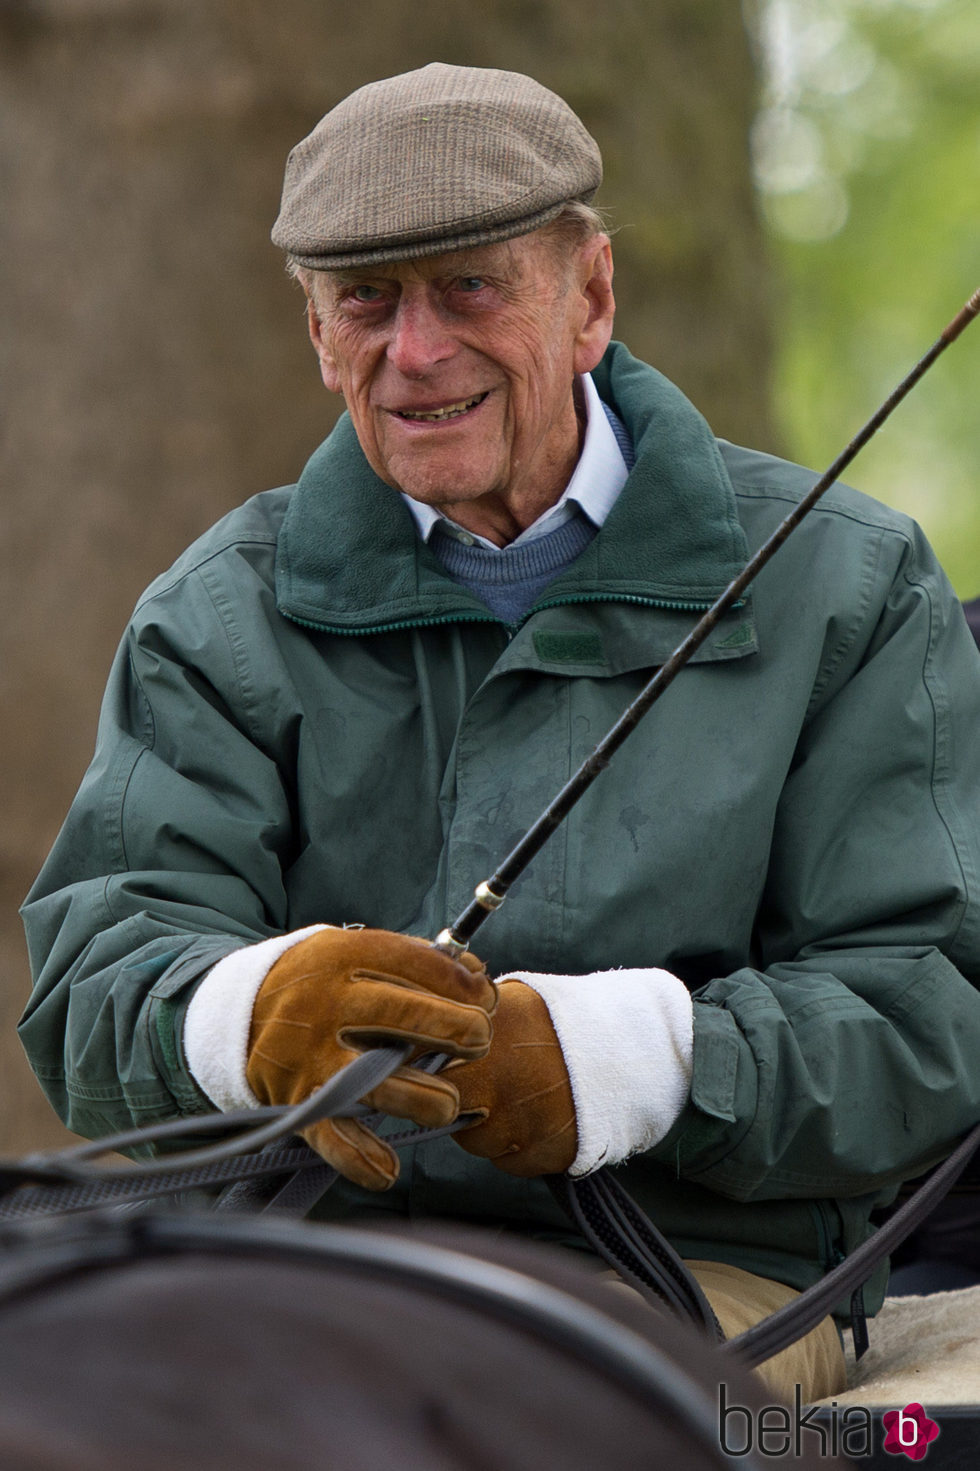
(339, 992)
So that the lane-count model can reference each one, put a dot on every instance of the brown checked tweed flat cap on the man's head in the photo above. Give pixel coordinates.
(433, 161)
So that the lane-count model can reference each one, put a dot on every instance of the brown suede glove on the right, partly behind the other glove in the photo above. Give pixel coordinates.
(523, 1091)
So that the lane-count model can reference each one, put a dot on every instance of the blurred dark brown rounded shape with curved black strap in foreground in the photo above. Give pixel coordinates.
(174, 1342)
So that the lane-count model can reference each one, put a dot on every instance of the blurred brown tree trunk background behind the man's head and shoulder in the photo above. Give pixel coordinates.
(154, 361)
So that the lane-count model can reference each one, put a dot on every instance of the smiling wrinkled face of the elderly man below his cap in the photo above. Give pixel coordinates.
(458, 370)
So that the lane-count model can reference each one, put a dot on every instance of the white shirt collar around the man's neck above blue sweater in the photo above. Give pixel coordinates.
(594, 488)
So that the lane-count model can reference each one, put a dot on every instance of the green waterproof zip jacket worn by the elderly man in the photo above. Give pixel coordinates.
(310, 722)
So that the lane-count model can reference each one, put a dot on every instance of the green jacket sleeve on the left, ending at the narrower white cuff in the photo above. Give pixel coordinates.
(170, 858)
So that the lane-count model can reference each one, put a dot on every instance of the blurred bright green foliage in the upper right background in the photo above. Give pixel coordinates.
(867, 152)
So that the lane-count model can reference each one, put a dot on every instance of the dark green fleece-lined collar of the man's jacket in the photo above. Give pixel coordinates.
(351, 561)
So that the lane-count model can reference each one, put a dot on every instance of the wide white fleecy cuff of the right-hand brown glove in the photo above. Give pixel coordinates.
(629, 1039)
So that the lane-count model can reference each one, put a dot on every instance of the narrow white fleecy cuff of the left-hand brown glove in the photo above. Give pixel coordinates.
(220, 1017)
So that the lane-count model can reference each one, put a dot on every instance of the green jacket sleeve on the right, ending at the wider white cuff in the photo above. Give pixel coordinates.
(850, 1057)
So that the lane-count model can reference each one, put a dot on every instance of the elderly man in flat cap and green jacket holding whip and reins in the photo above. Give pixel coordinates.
(742, 972)
